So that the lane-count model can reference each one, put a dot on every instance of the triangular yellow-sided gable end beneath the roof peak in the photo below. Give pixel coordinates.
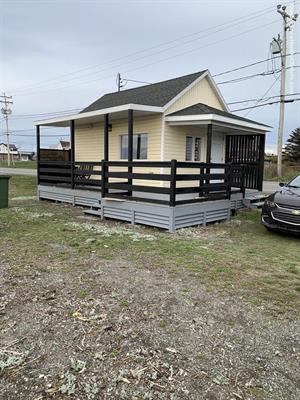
(202, 92)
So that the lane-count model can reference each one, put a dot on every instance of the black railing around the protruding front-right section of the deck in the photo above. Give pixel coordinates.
(215, 181)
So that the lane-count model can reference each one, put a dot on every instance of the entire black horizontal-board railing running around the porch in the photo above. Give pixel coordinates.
(172, 183)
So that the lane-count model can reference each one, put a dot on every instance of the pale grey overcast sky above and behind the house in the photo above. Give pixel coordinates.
(61, 55)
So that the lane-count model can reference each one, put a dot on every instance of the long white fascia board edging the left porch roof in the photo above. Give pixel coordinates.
(110, 110)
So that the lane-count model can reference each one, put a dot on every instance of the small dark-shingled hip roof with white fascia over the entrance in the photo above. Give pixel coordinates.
(202, 114)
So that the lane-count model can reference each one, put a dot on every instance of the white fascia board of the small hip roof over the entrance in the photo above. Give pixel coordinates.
(210, 118)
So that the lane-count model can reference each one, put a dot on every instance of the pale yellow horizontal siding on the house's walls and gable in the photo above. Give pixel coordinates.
(89, 139)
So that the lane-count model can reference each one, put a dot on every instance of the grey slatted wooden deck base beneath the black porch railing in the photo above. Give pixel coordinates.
(142, 212)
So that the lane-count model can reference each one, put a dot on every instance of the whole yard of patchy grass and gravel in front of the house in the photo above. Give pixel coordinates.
(105, 310)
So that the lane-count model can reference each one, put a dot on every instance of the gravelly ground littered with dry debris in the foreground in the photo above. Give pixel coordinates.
(139, 333)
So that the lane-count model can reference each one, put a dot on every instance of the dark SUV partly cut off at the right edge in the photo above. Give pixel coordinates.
(281, 210)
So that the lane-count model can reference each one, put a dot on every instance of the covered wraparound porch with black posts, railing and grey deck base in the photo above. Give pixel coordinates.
(165, 193)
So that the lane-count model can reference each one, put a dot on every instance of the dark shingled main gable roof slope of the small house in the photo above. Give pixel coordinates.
(156, 94)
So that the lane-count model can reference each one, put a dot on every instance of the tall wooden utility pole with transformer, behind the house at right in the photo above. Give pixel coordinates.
(288, 21)
